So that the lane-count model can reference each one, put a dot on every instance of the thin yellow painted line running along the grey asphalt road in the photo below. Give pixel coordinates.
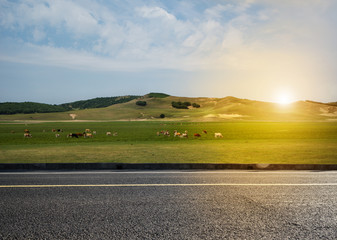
(169, 185)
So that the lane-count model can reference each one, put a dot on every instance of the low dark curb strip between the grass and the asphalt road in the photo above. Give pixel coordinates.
(162, 166)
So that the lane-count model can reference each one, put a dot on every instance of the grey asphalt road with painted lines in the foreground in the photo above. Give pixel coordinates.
(168, 205)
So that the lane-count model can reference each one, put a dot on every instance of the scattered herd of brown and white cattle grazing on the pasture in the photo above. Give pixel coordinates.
(89, 134)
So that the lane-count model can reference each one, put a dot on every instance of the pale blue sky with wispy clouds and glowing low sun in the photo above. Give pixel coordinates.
(67, 50)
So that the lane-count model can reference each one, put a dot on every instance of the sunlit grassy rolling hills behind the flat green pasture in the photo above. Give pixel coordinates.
(211, 109)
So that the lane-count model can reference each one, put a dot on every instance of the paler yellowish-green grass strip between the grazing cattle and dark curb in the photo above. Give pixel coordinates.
(284, 151)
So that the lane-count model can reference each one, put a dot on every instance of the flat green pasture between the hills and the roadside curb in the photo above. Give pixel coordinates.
(137, 142)
